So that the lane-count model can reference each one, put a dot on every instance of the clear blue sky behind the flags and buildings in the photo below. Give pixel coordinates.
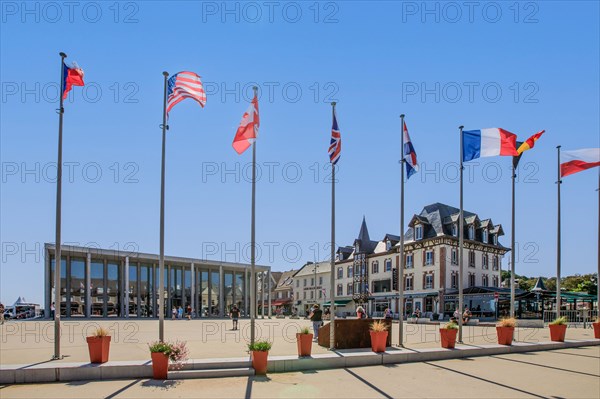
(524, 68)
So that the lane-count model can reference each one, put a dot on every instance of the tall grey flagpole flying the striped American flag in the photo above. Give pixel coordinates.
(161, 262)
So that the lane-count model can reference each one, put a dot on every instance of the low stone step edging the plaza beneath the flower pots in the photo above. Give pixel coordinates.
(113, 370)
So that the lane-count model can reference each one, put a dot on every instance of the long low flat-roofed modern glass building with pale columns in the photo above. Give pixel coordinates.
(108, 283)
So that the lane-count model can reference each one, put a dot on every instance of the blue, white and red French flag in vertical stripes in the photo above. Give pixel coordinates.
(488, 143)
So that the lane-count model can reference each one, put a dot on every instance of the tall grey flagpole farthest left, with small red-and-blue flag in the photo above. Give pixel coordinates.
(57, 254)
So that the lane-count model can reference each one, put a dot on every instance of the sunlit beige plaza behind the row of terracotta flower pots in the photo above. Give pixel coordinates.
(30, 342)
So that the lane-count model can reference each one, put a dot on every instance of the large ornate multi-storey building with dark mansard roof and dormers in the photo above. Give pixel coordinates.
(365, 271)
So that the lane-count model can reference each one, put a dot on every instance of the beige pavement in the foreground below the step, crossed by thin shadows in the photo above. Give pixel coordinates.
(567, 373)
